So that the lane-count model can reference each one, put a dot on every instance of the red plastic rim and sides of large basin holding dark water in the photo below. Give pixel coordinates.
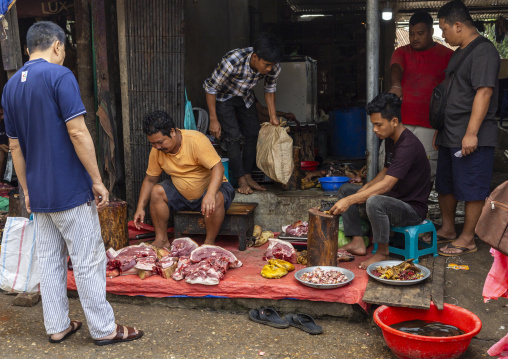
(410, 346)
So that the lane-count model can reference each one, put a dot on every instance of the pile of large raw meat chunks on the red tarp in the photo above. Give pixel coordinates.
(187, 260)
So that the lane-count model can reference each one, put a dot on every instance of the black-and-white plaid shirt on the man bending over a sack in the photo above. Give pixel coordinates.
(234, 77)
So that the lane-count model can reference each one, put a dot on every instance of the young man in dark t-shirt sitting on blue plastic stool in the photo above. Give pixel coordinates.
(398, 194)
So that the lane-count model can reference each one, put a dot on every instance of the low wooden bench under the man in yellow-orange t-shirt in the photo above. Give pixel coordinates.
(239, 221)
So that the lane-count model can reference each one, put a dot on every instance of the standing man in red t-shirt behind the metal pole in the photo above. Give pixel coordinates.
(415, 70)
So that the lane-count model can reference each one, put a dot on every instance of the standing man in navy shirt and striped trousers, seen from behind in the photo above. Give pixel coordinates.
(55, 162)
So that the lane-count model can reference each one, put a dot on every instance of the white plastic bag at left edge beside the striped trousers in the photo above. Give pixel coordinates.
(19, 271)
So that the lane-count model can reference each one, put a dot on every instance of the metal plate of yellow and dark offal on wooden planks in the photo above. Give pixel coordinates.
(398, 272)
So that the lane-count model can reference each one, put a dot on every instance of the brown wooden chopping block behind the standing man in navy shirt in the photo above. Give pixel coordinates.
(113, 219)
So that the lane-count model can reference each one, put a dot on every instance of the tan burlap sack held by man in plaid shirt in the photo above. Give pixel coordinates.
(275, 152)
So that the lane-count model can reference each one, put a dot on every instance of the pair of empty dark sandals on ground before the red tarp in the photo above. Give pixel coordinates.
(269, 316)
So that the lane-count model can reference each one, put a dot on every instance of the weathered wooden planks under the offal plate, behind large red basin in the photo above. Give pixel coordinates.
(411, 296)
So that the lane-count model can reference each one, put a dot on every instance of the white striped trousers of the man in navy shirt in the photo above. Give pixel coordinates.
(76, 232)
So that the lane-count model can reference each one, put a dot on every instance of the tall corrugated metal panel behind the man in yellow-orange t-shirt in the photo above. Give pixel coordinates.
(154, 44)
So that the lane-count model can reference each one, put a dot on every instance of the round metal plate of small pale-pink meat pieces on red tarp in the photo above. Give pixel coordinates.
(324, 277)
